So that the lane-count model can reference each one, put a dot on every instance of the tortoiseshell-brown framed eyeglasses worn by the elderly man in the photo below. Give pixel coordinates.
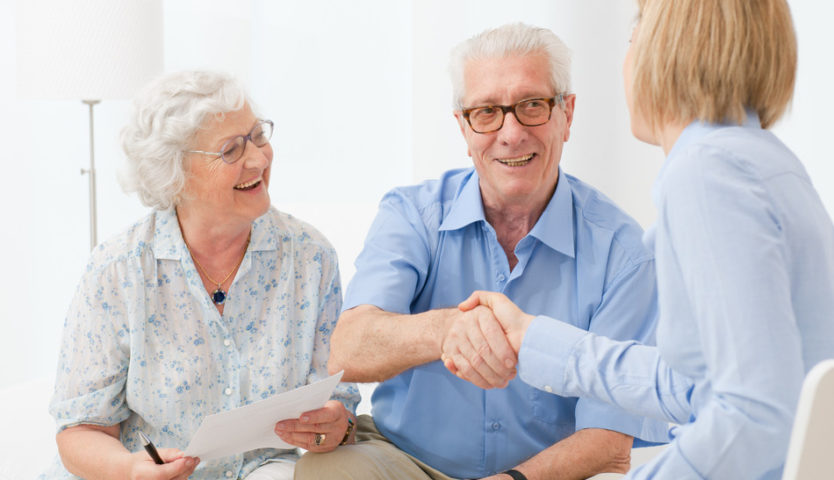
(531, 113)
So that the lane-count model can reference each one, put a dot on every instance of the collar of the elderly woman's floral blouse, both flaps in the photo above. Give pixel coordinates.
(169, 245)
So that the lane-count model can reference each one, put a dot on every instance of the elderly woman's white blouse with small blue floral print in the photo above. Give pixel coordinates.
(145, 347)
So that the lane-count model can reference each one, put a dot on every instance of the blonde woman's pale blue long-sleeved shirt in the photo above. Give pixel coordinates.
(745, 259)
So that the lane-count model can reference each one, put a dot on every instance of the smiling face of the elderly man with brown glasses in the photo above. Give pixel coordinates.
(517, 165)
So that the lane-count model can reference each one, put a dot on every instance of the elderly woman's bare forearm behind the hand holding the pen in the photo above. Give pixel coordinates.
(93, 452)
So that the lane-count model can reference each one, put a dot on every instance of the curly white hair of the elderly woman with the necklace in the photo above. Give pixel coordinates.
(168, 112)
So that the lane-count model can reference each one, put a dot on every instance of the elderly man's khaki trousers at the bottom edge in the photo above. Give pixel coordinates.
(372, 457)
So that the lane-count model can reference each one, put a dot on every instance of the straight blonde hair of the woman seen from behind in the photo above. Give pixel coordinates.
(711, 59)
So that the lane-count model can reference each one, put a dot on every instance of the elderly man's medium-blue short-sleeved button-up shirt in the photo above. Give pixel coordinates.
(430, 247)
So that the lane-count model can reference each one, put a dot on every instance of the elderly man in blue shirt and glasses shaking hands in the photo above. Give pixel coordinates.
(514, 224)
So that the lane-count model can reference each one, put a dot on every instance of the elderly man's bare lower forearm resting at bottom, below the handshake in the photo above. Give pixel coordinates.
(584, 454)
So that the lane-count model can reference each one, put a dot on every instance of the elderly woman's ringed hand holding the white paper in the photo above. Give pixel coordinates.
(329, 422)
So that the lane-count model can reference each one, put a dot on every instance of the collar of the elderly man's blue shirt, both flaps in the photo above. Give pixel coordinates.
(554, 228)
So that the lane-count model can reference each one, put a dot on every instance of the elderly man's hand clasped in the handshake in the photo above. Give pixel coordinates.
(475, 349)
